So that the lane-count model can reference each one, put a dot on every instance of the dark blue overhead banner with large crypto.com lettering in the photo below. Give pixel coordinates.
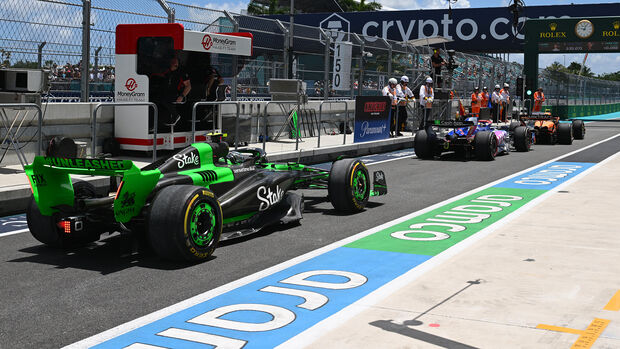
(473, 29)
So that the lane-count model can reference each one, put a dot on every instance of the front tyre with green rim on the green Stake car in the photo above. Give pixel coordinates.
(349, 185)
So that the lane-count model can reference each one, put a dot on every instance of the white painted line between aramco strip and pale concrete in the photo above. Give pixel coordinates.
(315, 332)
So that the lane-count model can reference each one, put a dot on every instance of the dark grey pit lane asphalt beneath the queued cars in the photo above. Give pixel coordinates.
(52, 298)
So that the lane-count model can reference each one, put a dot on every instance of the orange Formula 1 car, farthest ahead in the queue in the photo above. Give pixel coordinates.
(547, 129)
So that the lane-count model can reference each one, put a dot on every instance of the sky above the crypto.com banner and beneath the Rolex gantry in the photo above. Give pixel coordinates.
(599, 63)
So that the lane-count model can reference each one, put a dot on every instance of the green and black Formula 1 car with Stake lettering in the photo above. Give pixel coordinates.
(185, 204)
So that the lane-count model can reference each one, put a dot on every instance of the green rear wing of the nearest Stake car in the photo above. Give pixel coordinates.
(50, 180)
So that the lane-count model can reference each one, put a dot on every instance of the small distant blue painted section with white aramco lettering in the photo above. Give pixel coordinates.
(546, 177)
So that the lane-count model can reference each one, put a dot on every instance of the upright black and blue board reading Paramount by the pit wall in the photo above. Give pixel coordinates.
(372, 118)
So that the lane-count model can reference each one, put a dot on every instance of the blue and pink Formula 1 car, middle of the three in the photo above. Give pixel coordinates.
(471, 136)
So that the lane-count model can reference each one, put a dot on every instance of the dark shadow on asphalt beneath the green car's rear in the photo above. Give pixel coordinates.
(108, 255)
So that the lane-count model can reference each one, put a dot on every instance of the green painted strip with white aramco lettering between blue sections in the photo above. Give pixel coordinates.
(433, 232)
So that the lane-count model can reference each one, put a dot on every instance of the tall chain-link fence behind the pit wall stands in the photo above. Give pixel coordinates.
(48, 34)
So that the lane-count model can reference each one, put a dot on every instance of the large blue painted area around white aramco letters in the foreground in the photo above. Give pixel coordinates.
(376, 267)
